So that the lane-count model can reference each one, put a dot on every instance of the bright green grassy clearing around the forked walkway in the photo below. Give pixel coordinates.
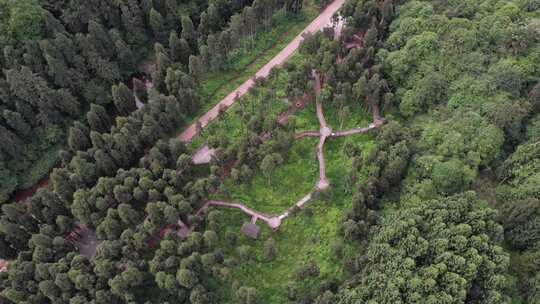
(308, 236)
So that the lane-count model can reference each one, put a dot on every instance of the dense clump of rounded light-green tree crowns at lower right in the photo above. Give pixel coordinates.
(437, 251)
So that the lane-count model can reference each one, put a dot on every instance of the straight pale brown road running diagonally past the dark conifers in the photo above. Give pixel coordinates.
(322, 21)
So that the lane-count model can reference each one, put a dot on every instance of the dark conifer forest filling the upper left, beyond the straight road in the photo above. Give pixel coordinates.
(67, 67)
